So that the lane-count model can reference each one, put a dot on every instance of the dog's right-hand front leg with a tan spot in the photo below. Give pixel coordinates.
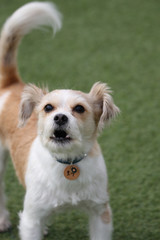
(101, 224)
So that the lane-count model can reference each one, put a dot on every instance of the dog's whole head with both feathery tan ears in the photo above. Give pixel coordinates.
(68, 121)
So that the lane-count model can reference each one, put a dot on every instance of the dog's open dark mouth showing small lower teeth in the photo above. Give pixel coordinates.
(60, 136)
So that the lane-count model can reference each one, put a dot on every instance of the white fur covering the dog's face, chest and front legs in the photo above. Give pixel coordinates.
(47, 189)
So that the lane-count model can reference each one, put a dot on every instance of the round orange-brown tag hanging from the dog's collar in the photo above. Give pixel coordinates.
(71, 172)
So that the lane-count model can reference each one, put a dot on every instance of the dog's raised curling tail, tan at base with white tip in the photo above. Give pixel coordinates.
(26, 18)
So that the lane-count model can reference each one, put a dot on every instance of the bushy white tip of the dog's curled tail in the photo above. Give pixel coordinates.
(33, 15)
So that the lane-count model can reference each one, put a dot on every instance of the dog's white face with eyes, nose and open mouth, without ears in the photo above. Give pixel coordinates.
(66, 120)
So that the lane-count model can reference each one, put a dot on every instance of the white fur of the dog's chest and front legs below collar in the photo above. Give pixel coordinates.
(50, 191)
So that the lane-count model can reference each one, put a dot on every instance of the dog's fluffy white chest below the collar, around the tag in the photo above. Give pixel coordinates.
(47, 185)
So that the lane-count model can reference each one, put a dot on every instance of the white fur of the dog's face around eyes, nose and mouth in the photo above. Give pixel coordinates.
(81, 134)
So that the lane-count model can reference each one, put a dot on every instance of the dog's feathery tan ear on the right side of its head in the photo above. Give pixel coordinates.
(103, 105)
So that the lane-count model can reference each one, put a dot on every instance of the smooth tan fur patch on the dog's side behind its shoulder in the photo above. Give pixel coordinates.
(17, 140)
